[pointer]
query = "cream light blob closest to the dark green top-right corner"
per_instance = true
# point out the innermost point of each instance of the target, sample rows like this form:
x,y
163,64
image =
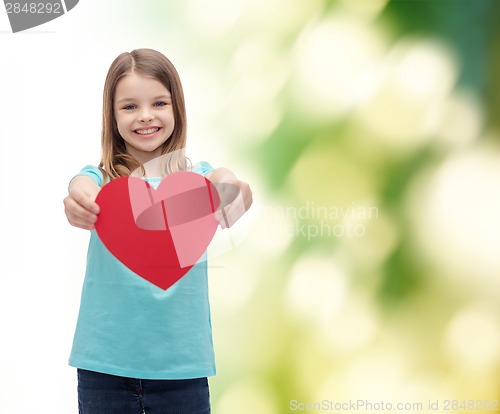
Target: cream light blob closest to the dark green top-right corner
x,y
406,101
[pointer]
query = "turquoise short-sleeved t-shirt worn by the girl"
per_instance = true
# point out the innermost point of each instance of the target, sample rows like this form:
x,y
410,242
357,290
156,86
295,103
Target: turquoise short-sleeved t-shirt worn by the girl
x,y
129,327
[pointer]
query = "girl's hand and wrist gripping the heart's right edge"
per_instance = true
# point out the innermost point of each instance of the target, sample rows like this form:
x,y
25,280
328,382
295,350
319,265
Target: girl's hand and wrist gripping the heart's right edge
x,y
235,196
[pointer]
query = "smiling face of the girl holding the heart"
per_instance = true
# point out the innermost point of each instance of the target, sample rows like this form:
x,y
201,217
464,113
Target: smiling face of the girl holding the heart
x,y
144,115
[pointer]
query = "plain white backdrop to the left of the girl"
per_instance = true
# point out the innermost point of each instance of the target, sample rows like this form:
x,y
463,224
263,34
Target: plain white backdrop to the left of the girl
x,y
51,80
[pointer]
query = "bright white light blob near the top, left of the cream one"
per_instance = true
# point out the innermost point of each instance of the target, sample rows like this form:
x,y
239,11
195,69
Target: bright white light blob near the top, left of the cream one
x,y
332,56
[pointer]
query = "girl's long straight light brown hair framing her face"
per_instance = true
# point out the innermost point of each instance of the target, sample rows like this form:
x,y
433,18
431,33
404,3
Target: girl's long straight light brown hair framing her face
x,y
115,161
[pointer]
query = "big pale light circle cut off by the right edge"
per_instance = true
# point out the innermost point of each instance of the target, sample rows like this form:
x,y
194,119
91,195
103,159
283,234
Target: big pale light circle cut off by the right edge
x,y
456,219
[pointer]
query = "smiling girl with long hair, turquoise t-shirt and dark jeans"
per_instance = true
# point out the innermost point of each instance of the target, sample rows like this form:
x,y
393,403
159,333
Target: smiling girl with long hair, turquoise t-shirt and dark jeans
x,y
137,348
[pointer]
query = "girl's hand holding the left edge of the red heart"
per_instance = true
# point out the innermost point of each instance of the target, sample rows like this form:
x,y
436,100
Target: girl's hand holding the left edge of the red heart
x,y
80,206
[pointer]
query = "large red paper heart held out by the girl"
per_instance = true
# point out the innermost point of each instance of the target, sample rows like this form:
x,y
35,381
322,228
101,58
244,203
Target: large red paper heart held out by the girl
x,y
158,234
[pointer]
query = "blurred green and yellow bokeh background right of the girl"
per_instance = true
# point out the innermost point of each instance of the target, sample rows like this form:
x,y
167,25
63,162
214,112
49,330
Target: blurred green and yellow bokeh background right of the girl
x,y
368,267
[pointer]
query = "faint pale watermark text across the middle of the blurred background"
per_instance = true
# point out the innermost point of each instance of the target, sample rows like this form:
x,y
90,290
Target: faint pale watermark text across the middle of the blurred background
x,y
310,220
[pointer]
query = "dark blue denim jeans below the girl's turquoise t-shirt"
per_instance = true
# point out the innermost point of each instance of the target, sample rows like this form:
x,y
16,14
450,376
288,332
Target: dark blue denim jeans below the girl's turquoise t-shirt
x,y
108,394
